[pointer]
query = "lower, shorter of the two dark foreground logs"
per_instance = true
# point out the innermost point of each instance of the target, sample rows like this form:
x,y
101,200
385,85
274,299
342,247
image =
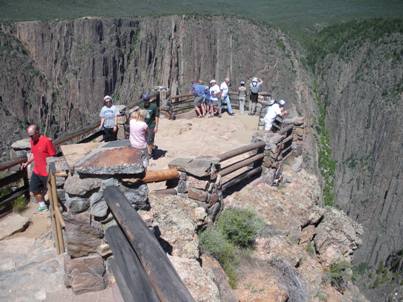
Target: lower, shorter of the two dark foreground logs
x,y
134,284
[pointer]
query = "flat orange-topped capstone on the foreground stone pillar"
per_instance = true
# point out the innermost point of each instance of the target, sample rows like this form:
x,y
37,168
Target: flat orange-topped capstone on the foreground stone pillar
x,y
120,160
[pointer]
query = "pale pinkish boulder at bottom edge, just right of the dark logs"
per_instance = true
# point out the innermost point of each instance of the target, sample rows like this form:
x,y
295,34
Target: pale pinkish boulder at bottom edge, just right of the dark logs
x,y
199,283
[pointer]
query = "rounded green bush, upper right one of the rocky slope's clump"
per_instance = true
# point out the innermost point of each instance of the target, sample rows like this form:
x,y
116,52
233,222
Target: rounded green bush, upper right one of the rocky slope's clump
x,y
240,226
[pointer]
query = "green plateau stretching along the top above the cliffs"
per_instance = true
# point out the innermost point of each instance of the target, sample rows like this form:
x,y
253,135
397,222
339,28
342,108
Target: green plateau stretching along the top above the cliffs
x,y
299,18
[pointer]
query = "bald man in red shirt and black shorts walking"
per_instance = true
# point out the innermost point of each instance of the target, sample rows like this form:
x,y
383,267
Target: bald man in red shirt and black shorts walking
x,y
41,148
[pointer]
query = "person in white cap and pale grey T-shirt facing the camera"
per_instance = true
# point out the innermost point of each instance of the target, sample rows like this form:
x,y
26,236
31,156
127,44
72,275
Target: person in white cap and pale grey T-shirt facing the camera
x,y
109,120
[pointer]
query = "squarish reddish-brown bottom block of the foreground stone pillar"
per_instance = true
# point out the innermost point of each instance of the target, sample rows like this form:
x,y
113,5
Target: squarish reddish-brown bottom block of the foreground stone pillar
x,y
84,274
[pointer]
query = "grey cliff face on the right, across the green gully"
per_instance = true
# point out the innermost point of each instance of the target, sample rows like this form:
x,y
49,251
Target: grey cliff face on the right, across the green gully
x,y
361,83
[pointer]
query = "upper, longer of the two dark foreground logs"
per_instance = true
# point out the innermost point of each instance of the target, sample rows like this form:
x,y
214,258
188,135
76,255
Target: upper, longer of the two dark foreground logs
x,y
162,275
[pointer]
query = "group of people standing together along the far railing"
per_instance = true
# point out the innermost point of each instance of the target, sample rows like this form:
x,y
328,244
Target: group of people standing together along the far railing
x,y
209,99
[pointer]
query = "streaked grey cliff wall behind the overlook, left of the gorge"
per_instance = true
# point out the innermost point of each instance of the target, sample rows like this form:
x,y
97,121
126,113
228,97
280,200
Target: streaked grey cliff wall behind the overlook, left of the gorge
x,y
70,65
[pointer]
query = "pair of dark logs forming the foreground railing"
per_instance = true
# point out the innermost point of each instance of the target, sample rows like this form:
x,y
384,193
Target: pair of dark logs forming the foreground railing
x,y
142,268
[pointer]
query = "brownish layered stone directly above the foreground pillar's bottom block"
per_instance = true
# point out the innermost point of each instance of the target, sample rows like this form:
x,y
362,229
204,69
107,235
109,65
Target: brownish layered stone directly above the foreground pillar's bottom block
x,y
82,236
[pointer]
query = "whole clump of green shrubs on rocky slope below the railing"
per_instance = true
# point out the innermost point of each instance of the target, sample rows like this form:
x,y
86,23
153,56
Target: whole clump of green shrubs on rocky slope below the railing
x,y
232,235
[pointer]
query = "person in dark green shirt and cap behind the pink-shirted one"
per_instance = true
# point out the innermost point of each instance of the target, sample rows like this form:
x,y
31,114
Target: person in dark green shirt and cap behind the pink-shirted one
x,y
152,119
